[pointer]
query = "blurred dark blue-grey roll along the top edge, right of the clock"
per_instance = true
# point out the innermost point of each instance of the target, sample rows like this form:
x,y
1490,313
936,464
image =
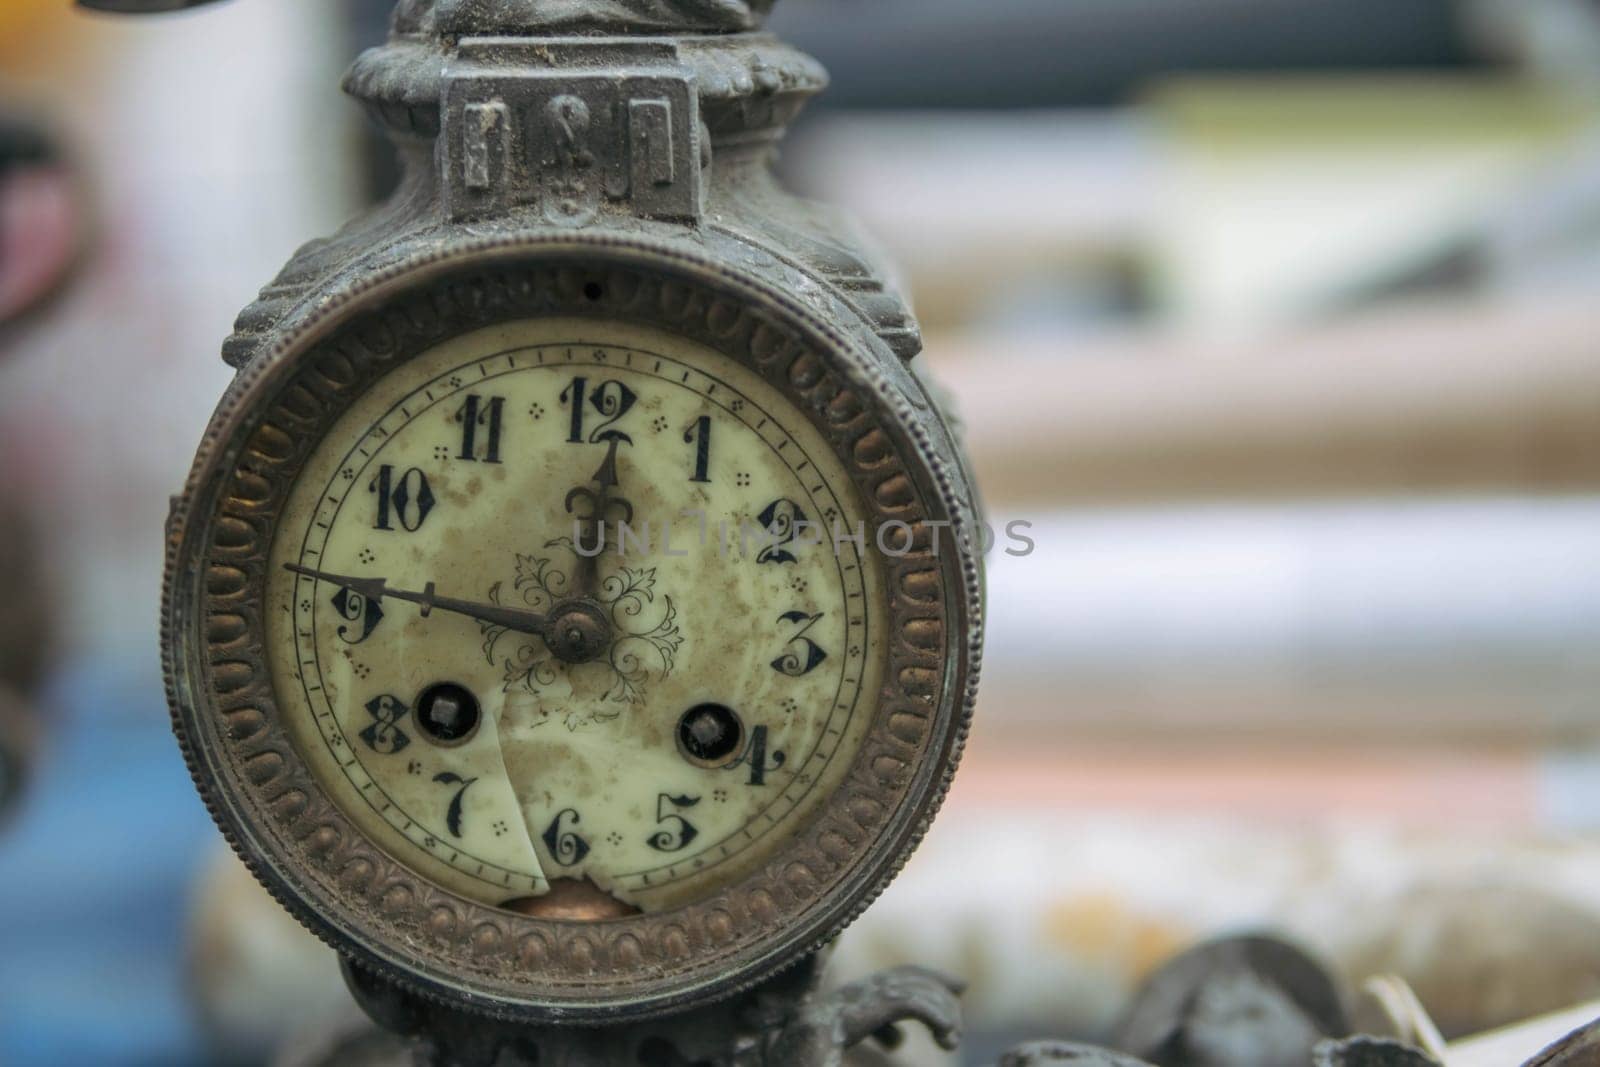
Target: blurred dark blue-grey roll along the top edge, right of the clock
x,y
1033,54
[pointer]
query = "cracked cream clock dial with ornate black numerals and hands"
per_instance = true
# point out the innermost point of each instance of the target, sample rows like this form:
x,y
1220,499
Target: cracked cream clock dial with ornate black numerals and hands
x,y
574,618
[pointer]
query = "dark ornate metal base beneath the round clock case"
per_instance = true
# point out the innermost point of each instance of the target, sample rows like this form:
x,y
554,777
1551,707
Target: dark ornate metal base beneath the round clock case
x,y
790,1021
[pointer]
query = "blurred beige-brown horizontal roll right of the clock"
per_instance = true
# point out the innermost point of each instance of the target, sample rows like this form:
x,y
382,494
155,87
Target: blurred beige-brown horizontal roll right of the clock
x,y
1446,399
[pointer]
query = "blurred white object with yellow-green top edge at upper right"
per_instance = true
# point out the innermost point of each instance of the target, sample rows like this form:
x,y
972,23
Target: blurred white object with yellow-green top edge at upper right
x,y
1290,198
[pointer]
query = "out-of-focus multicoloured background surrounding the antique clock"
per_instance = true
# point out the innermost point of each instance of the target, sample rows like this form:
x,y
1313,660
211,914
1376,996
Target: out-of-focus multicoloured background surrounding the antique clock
x,y
1279,321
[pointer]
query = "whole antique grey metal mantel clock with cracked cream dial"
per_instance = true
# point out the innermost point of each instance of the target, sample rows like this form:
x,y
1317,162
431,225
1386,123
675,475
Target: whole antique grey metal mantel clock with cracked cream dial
x,y
574,610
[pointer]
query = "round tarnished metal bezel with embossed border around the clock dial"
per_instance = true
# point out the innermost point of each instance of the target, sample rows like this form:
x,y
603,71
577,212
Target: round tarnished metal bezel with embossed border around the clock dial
x,y
388,919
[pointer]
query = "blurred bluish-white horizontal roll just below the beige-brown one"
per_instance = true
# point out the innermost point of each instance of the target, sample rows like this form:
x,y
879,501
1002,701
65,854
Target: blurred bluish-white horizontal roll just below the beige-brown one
x,y
1452,621
